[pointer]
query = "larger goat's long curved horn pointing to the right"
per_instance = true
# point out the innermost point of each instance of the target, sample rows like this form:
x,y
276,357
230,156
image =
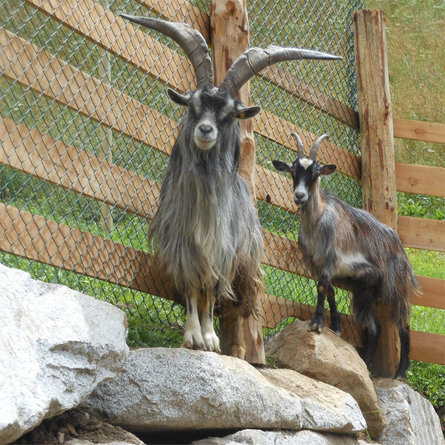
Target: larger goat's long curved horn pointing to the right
x,y
253,60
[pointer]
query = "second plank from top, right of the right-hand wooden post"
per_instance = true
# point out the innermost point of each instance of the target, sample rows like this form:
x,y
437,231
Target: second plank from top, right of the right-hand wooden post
x,y
412,178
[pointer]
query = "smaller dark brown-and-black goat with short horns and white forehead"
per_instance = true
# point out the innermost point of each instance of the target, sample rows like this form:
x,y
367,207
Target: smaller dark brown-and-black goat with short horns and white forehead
x,y
348,247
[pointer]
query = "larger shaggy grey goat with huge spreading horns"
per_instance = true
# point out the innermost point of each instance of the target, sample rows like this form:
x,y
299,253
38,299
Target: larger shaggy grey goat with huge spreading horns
x,y
206,233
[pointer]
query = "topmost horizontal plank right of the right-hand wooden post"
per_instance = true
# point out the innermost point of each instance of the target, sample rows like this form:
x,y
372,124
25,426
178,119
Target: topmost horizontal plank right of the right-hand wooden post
x,y
419,131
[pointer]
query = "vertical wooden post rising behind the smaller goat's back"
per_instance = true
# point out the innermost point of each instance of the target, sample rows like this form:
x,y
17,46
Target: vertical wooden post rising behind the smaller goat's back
x,y
377,144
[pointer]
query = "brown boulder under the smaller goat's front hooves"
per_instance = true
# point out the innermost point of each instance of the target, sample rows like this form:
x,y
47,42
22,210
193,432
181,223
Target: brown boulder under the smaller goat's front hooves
x,y
328,358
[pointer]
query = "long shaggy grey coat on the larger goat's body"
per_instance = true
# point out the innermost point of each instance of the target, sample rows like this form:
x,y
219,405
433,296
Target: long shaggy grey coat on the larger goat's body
x,y
206,231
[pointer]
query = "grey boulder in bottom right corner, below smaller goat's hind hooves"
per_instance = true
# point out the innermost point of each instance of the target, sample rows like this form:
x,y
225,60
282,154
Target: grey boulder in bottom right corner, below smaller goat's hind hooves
x,y
410,418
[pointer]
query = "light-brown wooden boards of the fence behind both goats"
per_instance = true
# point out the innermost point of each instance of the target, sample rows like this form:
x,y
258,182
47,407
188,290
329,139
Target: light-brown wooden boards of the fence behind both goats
x,y
29,151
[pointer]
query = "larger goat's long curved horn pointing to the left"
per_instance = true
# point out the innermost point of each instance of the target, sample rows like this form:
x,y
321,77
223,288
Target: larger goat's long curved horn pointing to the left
x,y
190,40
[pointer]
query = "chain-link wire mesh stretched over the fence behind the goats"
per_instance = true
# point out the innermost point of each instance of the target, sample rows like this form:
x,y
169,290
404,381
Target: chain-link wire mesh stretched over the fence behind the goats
x,y
86,130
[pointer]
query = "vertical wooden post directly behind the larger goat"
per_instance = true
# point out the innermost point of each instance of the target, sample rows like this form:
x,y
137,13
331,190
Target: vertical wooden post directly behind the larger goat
x,y
230,38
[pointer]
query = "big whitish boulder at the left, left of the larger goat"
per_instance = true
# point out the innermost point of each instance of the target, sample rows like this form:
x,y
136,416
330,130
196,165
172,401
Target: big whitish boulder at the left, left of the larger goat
x,y
56,346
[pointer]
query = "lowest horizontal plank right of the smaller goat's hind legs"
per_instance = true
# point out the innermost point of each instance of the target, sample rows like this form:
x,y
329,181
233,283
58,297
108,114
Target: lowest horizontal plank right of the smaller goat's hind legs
x,y
427,347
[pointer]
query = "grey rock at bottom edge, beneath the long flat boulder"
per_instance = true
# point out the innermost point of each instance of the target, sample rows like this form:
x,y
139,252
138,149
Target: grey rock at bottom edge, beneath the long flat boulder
x,y
258,437
